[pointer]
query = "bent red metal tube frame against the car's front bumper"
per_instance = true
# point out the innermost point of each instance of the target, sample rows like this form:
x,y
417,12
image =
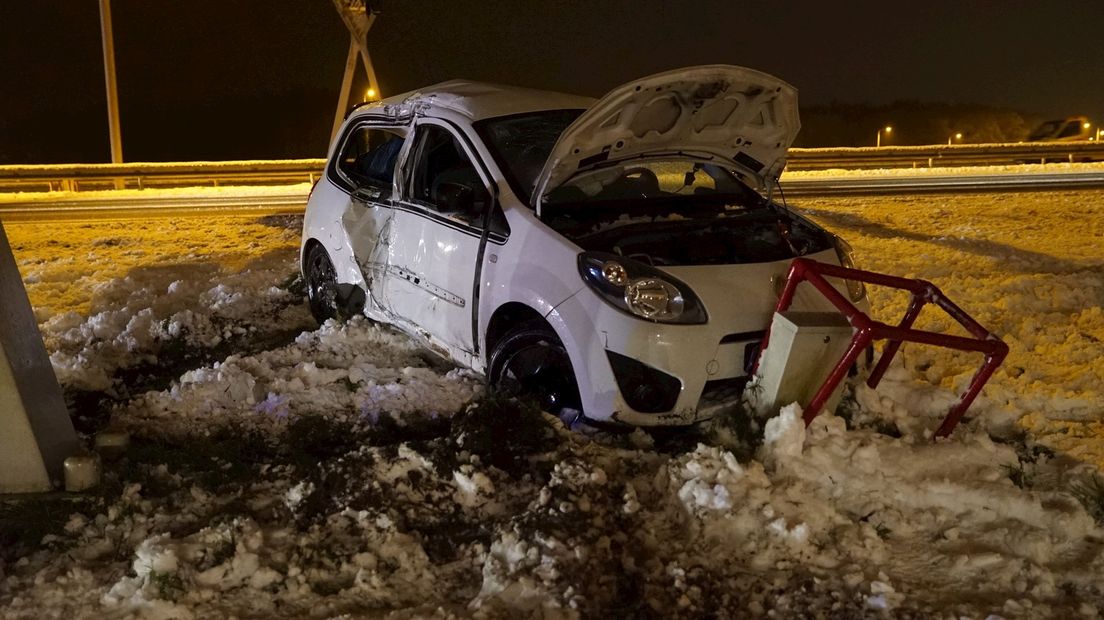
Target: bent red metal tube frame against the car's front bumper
x,y
868,330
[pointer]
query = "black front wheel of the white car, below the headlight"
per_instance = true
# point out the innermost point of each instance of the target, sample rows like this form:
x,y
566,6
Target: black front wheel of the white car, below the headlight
x,y
530,362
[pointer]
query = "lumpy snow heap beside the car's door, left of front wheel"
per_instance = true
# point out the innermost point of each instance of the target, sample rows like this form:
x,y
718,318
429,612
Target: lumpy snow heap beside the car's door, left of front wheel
x,y
357,371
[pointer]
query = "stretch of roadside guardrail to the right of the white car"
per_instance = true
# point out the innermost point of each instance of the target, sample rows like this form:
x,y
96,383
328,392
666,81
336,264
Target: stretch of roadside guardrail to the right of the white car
x,y
943,156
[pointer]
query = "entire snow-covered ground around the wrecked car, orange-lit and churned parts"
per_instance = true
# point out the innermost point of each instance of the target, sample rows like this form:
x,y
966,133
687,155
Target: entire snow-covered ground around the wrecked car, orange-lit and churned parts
x,y
279,471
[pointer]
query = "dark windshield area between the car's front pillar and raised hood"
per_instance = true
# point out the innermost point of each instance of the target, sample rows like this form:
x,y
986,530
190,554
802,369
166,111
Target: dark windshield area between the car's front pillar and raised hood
x,y
521,144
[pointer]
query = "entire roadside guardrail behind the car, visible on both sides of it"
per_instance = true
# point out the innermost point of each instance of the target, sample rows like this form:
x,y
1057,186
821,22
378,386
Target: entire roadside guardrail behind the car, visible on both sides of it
x,y
84,177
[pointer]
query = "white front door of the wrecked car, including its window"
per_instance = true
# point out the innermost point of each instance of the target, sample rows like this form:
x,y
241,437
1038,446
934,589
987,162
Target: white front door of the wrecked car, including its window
x,y
438,236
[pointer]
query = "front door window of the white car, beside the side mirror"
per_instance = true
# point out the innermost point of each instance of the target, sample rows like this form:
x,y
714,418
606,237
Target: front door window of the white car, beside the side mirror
x,y
444,178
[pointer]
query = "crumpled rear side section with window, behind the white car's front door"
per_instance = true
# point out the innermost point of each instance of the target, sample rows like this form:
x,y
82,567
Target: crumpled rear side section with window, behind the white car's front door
x,y
365,169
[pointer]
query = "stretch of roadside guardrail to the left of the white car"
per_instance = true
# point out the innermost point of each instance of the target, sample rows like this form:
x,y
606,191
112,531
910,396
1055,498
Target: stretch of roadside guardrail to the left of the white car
x,y
90,177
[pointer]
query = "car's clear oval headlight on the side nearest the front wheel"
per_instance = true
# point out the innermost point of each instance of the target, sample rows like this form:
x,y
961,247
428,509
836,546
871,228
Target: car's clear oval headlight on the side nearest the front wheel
x,y
640,290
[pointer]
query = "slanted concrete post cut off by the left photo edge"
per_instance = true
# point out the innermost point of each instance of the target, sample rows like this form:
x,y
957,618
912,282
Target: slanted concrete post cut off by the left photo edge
x,y
36,433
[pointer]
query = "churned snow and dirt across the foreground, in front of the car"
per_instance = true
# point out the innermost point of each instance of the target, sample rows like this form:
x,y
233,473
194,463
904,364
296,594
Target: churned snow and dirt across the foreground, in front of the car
x,y
847,522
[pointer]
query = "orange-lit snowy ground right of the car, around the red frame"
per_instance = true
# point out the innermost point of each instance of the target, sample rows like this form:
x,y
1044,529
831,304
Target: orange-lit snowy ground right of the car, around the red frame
x,y
1028,266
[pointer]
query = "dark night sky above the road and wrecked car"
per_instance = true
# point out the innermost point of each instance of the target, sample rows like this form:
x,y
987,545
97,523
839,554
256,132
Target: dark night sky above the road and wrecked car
x,y
229,79
